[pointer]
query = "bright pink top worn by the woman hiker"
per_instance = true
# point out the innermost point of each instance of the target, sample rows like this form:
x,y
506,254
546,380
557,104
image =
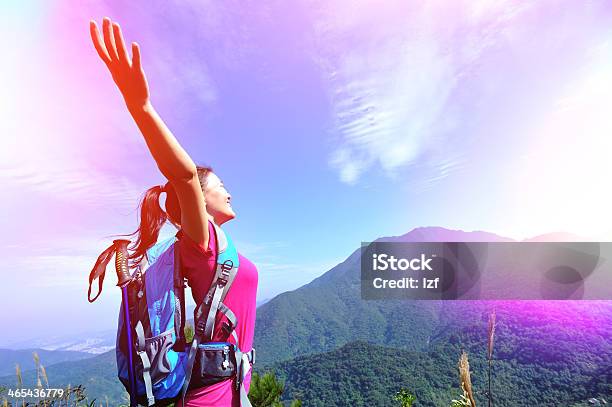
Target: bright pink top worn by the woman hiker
x,y
199,269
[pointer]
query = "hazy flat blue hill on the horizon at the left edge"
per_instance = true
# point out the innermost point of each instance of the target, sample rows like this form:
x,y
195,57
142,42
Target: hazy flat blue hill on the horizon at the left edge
x,y
24,358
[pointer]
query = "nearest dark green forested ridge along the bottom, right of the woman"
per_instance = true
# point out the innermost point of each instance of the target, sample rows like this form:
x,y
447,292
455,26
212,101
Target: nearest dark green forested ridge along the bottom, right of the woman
x,y
363,374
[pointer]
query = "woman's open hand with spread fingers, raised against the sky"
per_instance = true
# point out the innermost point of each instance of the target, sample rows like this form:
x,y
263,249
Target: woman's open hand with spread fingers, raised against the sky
x,y
127,72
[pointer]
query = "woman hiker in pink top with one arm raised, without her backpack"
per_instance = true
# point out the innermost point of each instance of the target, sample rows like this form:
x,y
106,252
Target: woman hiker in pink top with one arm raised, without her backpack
x,y
196,198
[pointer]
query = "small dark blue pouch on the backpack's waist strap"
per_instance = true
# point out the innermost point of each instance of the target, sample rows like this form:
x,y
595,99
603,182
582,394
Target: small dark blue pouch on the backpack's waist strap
x,y
215,362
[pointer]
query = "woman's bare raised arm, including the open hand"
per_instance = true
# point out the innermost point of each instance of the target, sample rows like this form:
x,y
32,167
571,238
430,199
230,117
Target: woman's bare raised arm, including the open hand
x,y
172,160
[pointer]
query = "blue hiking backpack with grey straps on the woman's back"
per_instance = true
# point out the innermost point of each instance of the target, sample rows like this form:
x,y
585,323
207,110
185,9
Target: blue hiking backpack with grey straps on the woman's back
x,y
154,362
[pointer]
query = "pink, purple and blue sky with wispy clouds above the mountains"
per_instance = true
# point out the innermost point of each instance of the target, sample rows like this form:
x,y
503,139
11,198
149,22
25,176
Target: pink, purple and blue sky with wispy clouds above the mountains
x,y
329,122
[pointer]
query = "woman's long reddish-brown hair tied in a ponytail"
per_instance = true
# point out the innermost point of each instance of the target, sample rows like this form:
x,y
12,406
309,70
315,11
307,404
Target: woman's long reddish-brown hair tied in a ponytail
x,y
153,217
